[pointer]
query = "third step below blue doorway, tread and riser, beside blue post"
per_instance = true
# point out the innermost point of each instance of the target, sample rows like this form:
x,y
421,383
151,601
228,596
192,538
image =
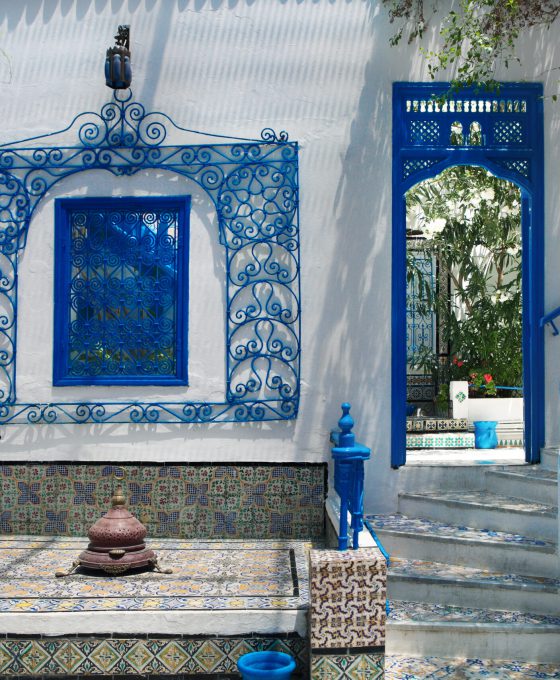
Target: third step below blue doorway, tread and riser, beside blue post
x,y
426,539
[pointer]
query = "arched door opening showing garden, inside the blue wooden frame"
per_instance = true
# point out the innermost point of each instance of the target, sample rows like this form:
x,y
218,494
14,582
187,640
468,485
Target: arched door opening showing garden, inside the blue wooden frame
x,y
464,319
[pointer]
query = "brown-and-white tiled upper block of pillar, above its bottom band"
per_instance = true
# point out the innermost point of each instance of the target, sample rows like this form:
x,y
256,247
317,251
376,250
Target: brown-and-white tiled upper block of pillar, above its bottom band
x,y
348,594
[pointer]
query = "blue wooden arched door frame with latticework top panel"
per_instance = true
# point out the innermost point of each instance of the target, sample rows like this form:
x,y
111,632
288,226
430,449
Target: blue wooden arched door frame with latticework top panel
x,y
509,143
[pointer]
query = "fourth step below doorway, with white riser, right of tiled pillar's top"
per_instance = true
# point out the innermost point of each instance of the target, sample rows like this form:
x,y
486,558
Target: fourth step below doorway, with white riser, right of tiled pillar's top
x,y
468,586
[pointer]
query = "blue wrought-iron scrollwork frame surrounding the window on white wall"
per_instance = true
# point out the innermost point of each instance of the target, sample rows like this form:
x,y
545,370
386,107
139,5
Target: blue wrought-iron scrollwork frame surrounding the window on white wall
x,y
253,184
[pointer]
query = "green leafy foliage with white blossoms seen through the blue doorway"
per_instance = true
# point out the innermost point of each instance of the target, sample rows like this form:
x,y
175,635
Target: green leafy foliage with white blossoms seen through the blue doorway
x,y
471,222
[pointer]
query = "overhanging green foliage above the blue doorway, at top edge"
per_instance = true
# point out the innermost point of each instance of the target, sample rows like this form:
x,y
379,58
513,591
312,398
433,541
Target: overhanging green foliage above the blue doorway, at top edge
x,y
476,37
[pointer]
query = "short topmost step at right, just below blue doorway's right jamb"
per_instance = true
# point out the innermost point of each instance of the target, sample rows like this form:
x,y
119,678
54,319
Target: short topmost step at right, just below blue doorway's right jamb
x,y
531,482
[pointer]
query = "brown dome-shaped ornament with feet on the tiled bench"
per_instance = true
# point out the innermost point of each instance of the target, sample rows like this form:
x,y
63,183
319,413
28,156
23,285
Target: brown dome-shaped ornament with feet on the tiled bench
x,y
116,543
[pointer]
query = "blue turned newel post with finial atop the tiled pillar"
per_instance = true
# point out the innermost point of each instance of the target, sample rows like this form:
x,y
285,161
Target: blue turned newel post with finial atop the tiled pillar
x,y
349,459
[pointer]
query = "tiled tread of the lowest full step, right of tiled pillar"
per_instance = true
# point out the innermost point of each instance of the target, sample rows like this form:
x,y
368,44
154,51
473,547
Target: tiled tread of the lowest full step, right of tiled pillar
x,y
427,611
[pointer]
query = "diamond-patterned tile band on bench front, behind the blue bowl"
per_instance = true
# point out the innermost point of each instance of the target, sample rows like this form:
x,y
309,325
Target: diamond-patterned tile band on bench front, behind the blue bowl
x,y
66,657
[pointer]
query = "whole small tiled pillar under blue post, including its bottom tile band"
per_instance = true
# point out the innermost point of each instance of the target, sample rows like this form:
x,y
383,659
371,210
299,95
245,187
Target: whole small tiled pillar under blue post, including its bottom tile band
x,y
347,614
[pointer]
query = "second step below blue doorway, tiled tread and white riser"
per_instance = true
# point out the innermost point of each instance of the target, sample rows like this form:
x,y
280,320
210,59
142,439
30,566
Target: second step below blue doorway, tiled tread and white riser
x,y
484,510
